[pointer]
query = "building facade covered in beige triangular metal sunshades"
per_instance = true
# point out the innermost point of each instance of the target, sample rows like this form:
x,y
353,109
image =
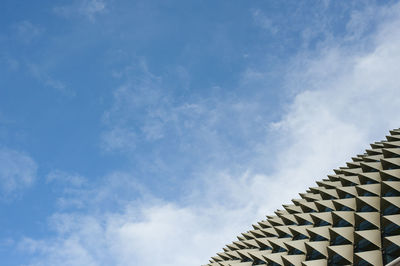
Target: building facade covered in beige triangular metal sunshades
x,y
350,218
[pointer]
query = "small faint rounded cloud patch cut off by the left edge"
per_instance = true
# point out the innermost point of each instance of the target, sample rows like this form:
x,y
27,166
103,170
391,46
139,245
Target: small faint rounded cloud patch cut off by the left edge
x,y
17,173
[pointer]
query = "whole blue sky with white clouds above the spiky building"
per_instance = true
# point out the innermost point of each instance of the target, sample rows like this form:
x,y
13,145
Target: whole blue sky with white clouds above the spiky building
x,y
154,132
